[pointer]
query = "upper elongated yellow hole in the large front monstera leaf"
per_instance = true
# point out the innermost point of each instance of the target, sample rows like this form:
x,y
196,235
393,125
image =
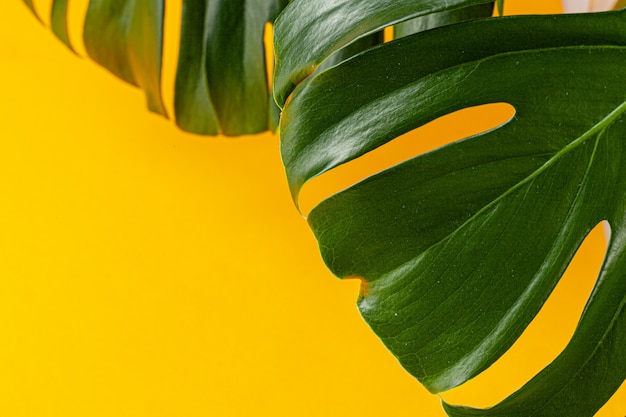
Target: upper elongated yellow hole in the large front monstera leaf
x,y
440,132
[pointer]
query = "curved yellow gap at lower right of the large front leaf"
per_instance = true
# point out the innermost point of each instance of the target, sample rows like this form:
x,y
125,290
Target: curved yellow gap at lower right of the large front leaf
x,y
546,336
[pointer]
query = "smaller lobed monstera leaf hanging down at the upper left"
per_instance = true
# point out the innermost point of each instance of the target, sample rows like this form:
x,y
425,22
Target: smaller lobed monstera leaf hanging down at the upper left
x,y
221,83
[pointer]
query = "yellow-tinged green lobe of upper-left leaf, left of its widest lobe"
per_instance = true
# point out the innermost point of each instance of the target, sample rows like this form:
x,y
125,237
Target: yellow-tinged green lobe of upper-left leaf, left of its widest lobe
x,y
126,37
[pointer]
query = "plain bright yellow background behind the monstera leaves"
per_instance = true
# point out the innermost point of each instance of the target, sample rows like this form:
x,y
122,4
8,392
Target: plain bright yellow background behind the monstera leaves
x,y
148,272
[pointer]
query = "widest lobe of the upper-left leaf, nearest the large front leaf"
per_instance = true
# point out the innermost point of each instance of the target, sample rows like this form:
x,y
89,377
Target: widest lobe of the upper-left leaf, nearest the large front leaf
x,y
221,77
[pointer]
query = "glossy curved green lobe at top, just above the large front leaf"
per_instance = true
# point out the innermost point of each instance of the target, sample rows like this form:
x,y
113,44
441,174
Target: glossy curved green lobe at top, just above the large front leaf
x,y
308,31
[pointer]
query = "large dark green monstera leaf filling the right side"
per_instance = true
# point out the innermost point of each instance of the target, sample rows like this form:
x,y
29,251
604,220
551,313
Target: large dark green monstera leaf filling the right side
x,y
459,248
